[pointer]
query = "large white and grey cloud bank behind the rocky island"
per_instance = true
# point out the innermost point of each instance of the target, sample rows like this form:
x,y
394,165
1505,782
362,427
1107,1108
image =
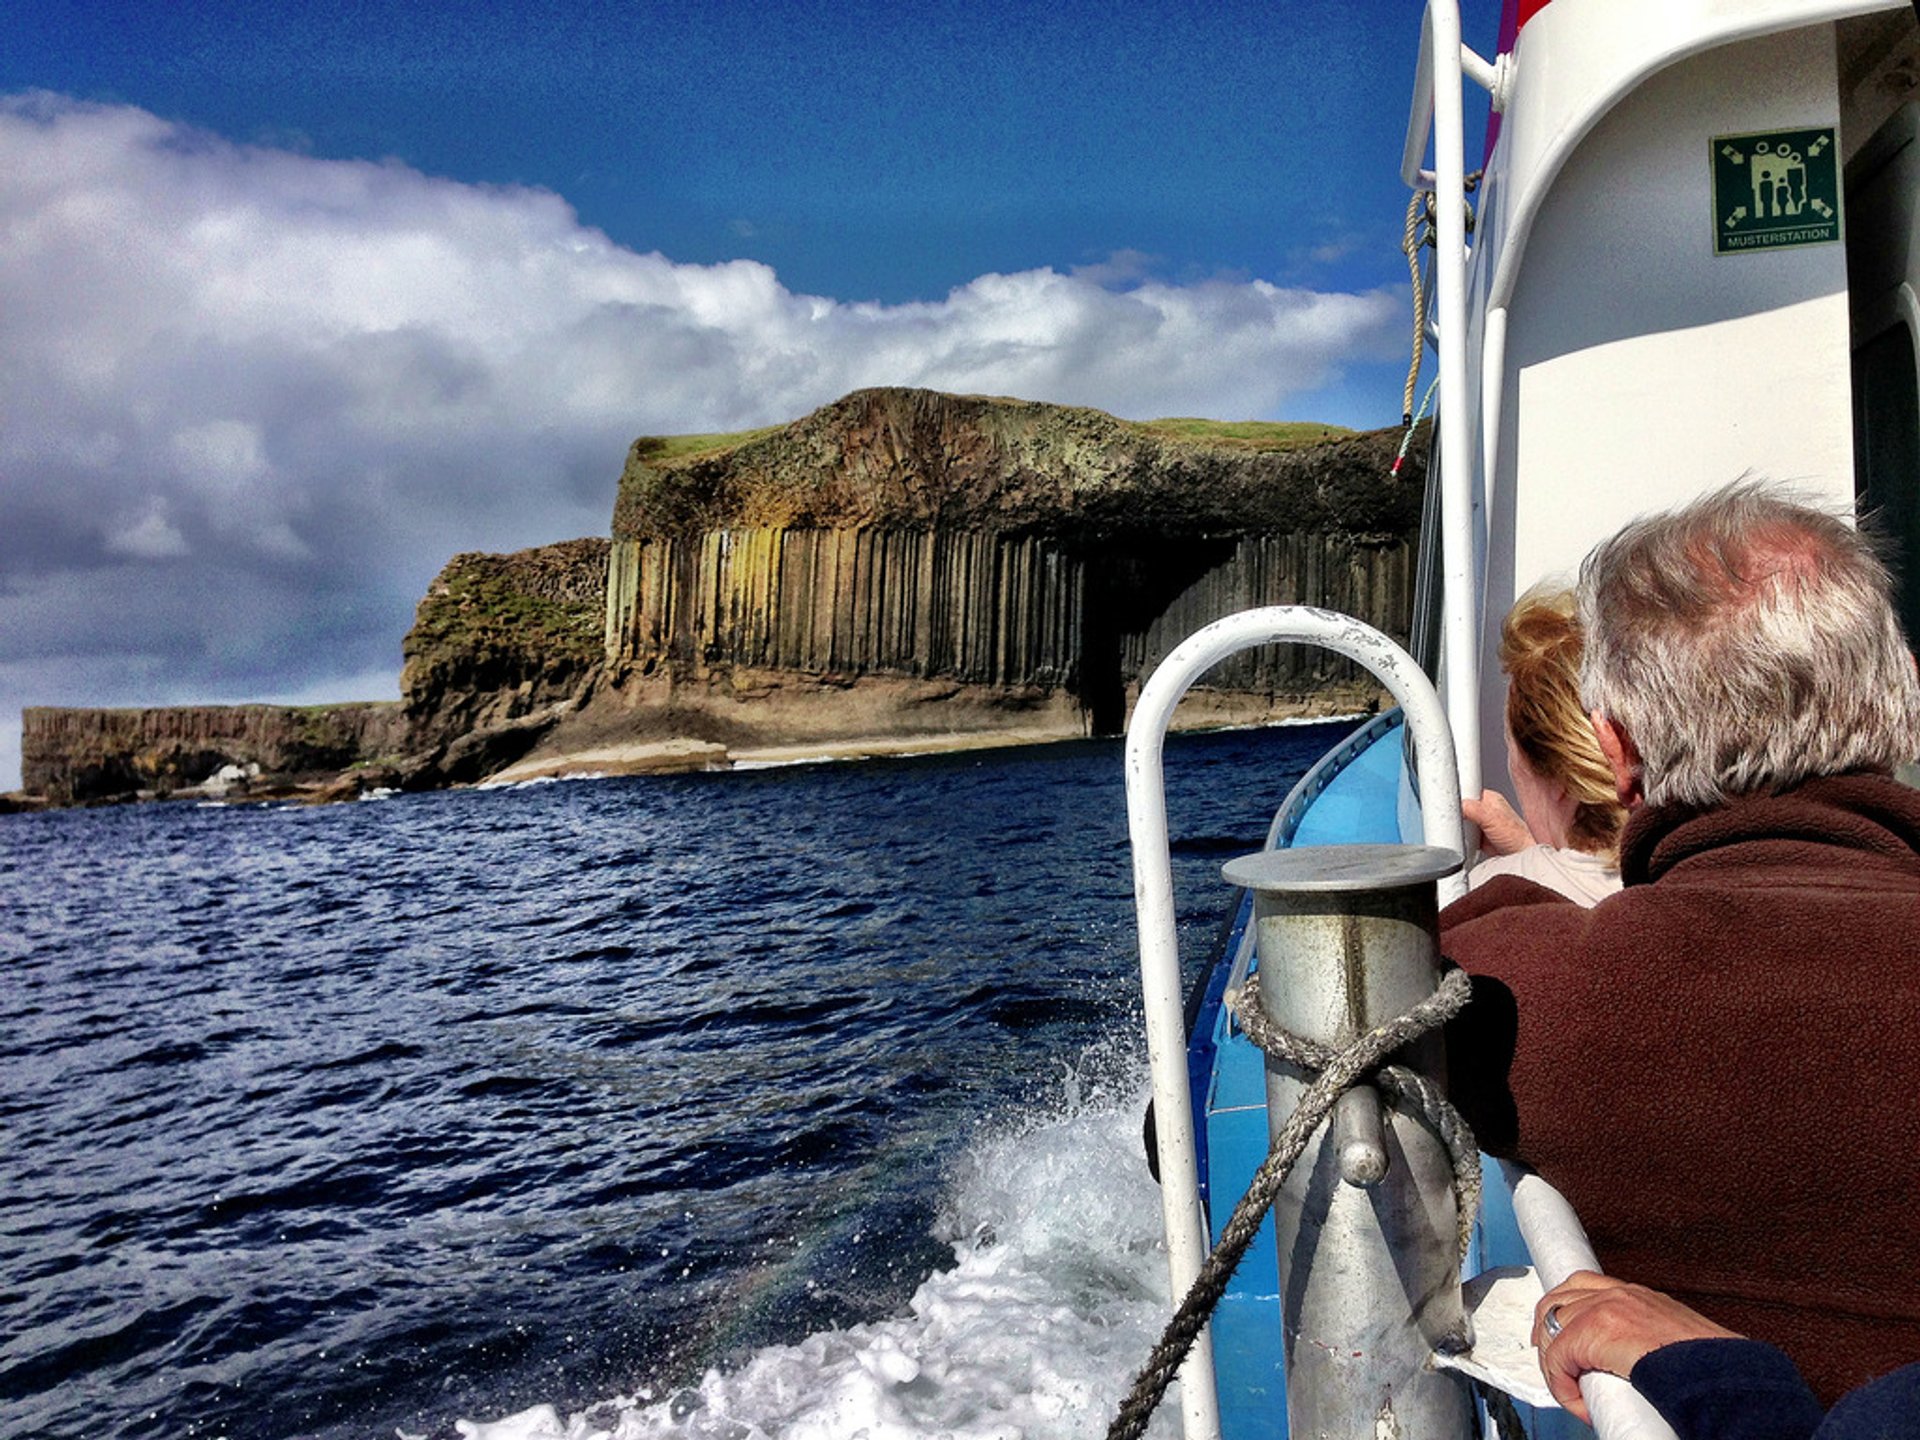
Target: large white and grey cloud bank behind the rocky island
x,y
252,400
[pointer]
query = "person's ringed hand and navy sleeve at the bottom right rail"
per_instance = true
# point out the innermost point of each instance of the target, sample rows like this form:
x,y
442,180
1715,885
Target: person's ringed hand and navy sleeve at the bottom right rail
x,y
1706,1381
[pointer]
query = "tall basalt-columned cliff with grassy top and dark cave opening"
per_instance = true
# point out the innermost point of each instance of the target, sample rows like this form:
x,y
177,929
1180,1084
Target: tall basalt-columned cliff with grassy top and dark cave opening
x,y
953,558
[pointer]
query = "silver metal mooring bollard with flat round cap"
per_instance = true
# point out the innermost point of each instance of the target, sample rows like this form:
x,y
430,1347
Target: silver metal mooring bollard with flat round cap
x,y
1370,1264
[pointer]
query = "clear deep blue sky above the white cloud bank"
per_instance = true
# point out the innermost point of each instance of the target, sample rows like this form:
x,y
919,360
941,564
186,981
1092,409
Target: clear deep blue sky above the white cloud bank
x,y
863,151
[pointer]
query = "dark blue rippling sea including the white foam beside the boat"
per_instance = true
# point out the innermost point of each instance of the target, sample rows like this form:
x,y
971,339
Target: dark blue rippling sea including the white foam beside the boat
x,y
784,1103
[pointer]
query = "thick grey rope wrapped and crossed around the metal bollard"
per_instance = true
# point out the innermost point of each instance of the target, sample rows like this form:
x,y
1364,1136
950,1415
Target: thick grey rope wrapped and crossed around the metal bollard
x,y
1337,1070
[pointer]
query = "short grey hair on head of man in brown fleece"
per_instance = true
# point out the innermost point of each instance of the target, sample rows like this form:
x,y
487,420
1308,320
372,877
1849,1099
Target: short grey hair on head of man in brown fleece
x,y
1746,642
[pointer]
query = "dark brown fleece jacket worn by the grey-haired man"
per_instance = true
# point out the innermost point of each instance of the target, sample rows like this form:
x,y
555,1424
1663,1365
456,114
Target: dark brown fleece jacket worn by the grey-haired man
x,y
1721,1065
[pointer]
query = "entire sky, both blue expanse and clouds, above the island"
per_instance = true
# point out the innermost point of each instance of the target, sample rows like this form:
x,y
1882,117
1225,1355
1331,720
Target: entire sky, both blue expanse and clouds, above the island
x,y
297,304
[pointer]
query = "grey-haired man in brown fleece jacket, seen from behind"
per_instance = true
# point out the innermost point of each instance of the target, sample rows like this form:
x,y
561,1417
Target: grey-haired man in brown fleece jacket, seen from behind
x,y
1719,1065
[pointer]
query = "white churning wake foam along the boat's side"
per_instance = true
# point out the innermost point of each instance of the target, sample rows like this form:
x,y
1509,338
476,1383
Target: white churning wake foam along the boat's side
x,y
1055,1301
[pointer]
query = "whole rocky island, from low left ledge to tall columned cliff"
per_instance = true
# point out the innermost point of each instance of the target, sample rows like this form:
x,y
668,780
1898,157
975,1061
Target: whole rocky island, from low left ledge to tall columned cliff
x,y
896,571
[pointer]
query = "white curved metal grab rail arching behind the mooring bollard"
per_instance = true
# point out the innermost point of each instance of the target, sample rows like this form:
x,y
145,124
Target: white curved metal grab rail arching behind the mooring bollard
x,y
1153,898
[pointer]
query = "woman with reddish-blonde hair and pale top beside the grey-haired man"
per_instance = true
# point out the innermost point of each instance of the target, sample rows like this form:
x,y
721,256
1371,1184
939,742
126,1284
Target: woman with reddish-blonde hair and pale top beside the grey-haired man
x,y
1568,830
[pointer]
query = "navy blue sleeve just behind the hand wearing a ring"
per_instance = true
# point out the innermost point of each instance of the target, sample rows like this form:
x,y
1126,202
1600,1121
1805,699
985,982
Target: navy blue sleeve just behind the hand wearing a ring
x,y
1727,1391
